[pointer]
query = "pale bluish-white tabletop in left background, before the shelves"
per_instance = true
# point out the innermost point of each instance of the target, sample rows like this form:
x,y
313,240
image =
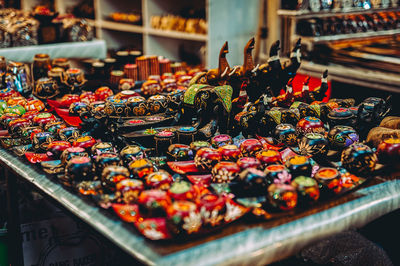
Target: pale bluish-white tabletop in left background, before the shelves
x,y
91,49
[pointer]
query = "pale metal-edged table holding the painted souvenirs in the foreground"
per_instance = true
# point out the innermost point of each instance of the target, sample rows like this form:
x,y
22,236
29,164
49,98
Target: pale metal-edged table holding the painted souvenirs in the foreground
x,y
243,242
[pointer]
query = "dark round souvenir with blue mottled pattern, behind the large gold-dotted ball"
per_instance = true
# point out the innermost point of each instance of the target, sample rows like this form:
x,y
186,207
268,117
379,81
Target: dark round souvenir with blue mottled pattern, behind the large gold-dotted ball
x,y
341,137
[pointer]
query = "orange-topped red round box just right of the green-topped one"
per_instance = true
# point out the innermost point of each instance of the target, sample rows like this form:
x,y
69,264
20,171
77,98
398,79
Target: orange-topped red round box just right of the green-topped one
x,y
329,179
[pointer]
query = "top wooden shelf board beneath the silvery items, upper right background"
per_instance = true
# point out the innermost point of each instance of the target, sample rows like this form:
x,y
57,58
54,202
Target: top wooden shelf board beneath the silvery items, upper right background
x,y
302,14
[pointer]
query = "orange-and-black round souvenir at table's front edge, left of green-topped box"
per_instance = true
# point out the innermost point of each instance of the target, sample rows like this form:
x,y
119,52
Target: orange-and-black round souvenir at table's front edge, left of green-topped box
x,y
282,196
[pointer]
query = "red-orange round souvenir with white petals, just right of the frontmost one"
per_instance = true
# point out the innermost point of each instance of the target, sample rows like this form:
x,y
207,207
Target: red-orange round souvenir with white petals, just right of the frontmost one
x,y
212,209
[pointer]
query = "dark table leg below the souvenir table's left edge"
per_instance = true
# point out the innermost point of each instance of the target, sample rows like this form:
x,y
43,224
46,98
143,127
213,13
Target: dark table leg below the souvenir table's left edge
x,y
13,224
